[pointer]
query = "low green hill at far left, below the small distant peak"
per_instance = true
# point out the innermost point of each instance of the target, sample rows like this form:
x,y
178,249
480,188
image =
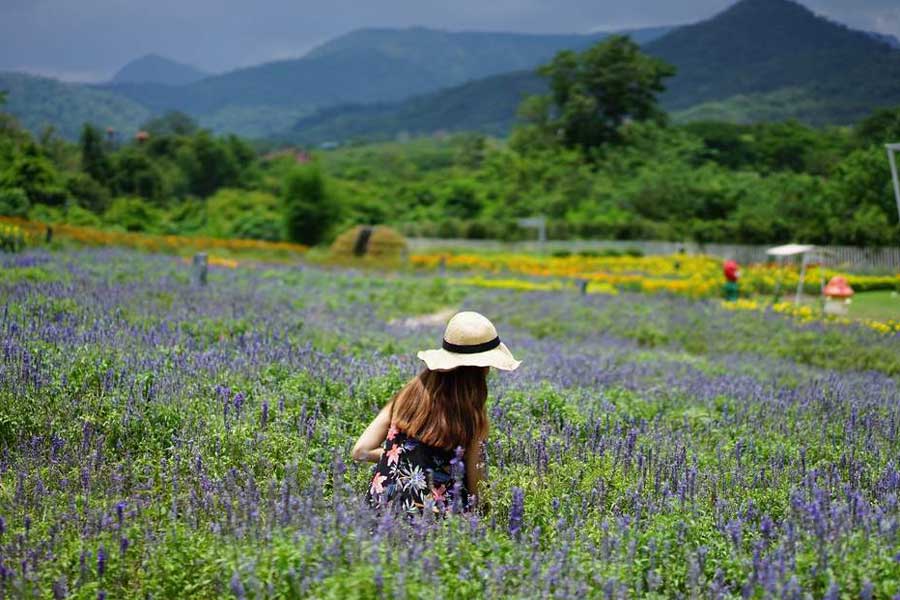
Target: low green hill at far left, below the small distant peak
x,y
39,102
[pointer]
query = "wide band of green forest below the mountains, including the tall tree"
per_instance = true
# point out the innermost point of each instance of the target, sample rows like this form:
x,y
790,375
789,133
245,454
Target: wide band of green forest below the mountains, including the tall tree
x,y
629,173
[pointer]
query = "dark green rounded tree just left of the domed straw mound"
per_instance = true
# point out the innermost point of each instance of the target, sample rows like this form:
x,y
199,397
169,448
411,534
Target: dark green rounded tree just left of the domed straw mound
x,y
309,213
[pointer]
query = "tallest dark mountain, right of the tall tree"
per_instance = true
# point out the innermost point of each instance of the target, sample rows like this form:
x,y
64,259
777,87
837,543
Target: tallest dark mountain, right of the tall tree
x,y
761,46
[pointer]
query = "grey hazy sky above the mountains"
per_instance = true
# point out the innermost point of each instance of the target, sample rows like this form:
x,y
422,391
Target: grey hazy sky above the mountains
x,y
88,40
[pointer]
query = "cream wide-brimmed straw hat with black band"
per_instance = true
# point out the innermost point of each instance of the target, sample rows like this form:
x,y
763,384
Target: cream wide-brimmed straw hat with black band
x,y
470,340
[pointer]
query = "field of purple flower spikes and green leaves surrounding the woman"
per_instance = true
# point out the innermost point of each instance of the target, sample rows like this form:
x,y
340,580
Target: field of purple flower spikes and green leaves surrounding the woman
x,y
163,440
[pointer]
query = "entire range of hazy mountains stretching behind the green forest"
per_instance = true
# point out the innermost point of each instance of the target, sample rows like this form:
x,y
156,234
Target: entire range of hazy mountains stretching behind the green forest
x,y
757,60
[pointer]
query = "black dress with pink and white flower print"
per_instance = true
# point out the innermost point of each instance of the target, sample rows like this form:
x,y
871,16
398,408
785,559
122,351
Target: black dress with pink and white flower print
x,y
418,476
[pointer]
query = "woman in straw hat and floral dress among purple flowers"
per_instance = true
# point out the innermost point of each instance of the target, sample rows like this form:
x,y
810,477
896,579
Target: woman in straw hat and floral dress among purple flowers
x,y
427,440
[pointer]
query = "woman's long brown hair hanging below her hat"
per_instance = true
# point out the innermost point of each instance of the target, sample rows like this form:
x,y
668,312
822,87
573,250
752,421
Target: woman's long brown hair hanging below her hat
x,y
443,408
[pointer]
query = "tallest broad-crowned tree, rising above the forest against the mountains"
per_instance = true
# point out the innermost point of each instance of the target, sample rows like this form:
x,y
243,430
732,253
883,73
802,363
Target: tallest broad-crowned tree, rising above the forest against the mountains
x,y
595,92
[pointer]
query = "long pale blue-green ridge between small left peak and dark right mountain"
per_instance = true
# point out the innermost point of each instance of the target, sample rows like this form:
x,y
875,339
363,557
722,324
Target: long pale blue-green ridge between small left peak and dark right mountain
x,y
364,66
